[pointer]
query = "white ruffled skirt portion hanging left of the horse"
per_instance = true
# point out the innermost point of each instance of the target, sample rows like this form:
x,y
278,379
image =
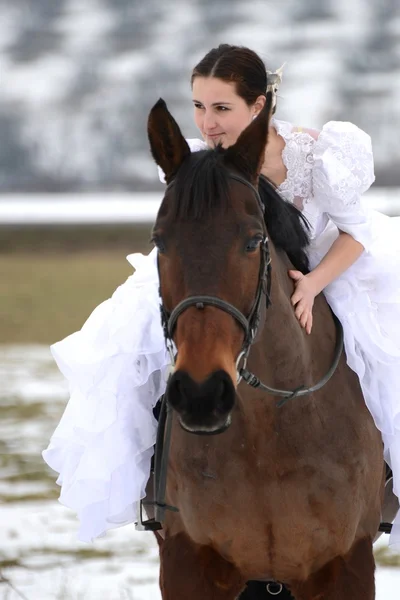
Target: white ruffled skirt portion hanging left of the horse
x,y
115,366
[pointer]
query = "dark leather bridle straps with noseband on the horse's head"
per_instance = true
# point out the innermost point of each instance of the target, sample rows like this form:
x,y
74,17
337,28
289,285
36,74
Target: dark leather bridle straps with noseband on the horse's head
x,y
250,324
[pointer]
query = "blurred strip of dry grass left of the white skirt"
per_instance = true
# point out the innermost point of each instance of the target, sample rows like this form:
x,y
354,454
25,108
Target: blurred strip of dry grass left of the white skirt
x,y
45,297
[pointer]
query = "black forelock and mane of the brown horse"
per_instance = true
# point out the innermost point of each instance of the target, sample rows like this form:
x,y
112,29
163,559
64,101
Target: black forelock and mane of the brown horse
x,y
202,187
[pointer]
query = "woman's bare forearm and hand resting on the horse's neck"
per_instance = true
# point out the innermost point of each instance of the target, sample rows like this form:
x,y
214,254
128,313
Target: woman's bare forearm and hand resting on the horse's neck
x,y
343,253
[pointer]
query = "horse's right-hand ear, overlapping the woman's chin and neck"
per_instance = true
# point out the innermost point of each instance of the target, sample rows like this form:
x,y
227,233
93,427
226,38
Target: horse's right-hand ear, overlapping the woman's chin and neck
x,y
247,154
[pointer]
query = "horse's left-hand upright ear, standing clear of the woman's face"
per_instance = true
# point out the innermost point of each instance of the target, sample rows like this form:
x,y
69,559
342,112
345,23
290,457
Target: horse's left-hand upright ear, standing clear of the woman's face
x,y
168,146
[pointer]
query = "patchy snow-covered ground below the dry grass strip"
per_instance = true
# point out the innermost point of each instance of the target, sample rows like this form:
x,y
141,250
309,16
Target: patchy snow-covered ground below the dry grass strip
x,y
39,551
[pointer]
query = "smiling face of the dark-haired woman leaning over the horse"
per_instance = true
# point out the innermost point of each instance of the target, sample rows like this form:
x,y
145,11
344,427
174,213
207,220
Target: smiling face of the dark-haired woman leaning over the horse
x,y
219,113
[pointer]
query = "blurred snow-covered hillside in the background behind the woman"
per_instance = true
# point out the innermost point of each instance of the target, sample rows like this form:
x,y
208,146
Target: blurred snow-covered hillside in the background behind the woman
x,y
70,101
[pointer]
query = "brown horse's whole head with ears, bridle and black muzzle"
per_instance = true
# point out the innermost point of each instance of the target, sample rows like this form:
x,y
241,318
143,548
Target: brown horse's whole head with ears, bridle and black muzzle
x,y
212,259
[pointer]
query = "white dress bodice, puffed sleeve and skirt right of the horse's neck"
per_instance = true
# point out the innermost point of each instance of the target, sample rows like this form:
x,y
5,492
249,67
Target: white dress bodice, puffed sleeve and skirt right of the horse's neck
x,y
327,177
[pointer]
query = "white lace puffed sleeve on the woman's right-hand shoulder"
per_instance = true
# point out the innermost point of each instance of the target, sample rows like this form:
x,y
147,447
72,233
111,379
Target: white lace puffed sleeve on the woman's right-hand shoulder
x,y
343,170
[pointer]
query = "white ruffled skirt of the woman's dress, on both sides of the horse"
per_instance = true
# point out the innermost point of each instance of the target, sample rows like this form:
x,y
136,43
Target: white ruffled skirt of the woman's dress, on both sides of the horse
x,y
117,365
